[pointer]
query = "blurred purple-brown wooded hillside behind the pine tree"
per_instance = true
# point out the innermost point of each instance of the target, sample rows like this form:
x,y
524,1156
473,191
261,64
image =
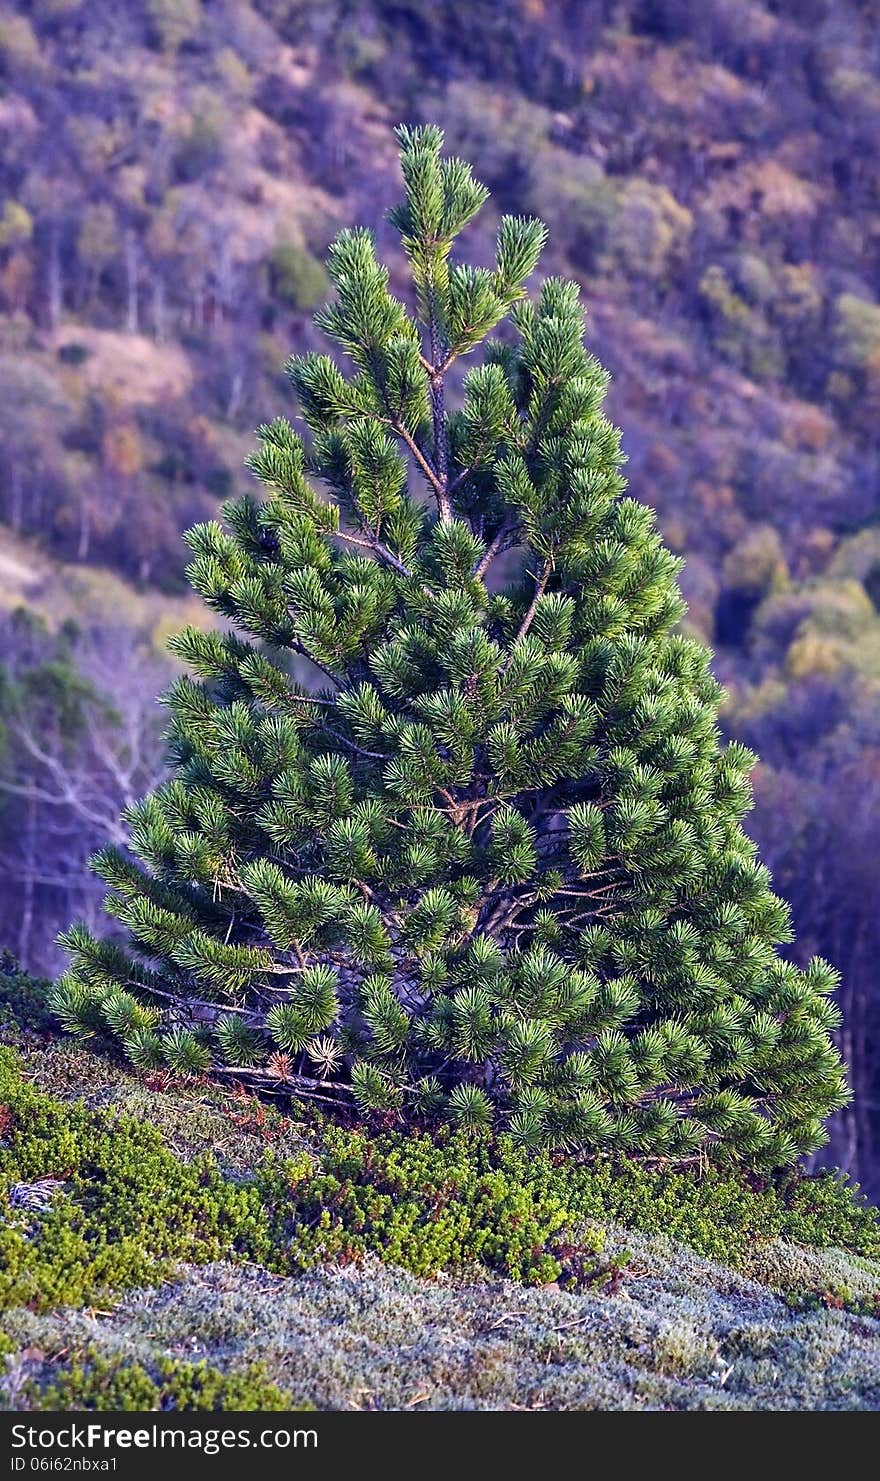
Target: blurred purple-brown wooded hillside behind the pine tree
x,y
171,174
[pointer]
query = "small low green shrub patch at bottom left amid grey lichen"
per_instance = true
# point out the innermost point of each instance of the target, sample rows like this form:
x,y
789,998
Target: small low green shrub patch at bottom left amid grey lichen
x,y
91,1381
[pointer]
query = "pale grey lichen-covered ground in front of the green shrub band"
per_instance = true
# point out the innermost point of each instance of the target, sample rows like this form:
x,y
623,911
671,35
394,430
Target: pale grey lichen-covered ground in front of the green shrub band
x,y
679,1334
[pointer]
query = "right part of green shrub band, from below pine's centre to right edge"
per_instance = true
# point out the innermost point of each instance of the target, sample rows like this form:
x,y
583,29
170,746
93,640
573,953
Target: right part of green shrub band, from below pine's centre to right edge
x,y
438,1202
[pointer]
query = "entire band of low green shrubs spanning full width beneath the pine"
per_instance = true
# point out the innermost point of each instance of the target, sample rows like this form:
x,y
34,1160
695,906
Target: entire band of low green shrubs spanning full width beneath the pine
x,y
122,1208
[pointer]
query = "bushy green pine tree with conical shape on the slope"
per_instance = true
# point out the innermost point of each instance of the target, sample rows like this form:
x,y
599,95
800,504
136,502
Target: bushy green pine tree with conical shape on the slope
x,y
451,832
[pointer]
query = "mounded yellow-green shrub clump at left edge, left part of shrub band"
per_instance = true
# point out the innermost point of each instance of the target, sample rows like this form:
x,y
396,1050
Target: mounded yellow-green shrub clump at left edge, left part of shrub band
x,y
119,1208
